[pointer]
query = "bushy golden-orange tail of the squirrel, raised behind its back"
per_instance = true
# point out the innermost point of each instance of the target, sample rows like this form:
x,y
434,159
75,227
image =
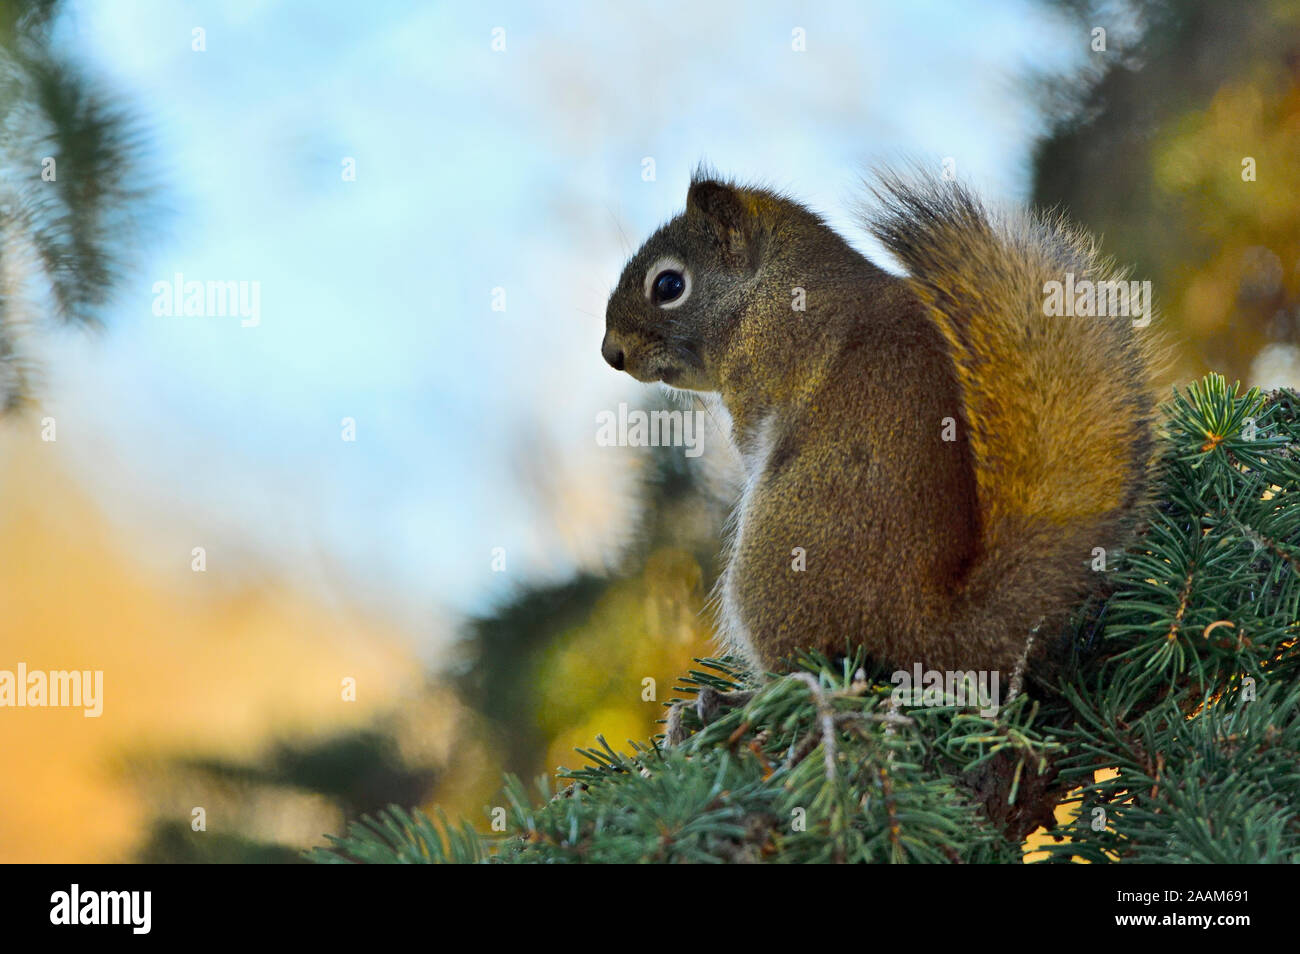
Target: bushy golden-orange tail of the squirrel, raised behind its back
x,y
1059,410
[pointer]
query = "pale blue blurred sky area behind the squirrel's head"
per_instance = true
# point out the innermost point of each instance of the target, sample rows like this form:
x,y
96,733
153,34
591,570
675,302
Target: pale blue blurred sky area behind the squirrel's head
x,y
475,170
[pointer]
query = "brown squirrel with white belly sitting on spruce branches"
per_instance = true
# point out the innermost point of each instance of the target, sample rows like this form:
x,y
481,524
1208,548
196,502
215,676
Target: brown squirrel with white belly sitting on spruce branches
x,y
944,453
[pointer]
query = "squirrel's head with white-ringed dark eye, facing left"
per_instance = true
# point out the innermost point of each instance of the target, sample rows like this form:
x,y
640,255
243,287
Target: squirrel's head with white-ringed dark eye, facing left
x,y
682,296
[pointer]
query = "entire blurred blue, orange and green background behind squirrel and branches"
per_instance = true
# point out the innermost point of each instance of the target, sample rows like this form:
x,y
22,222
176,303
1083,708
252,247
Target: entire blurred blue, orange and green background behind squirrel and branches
x,y
389,480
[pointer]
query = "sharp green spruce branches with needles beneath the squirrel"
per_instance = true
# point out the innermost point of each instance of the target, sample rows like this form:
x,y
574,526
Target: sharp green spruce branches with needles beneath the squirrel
x,y
1173,735
